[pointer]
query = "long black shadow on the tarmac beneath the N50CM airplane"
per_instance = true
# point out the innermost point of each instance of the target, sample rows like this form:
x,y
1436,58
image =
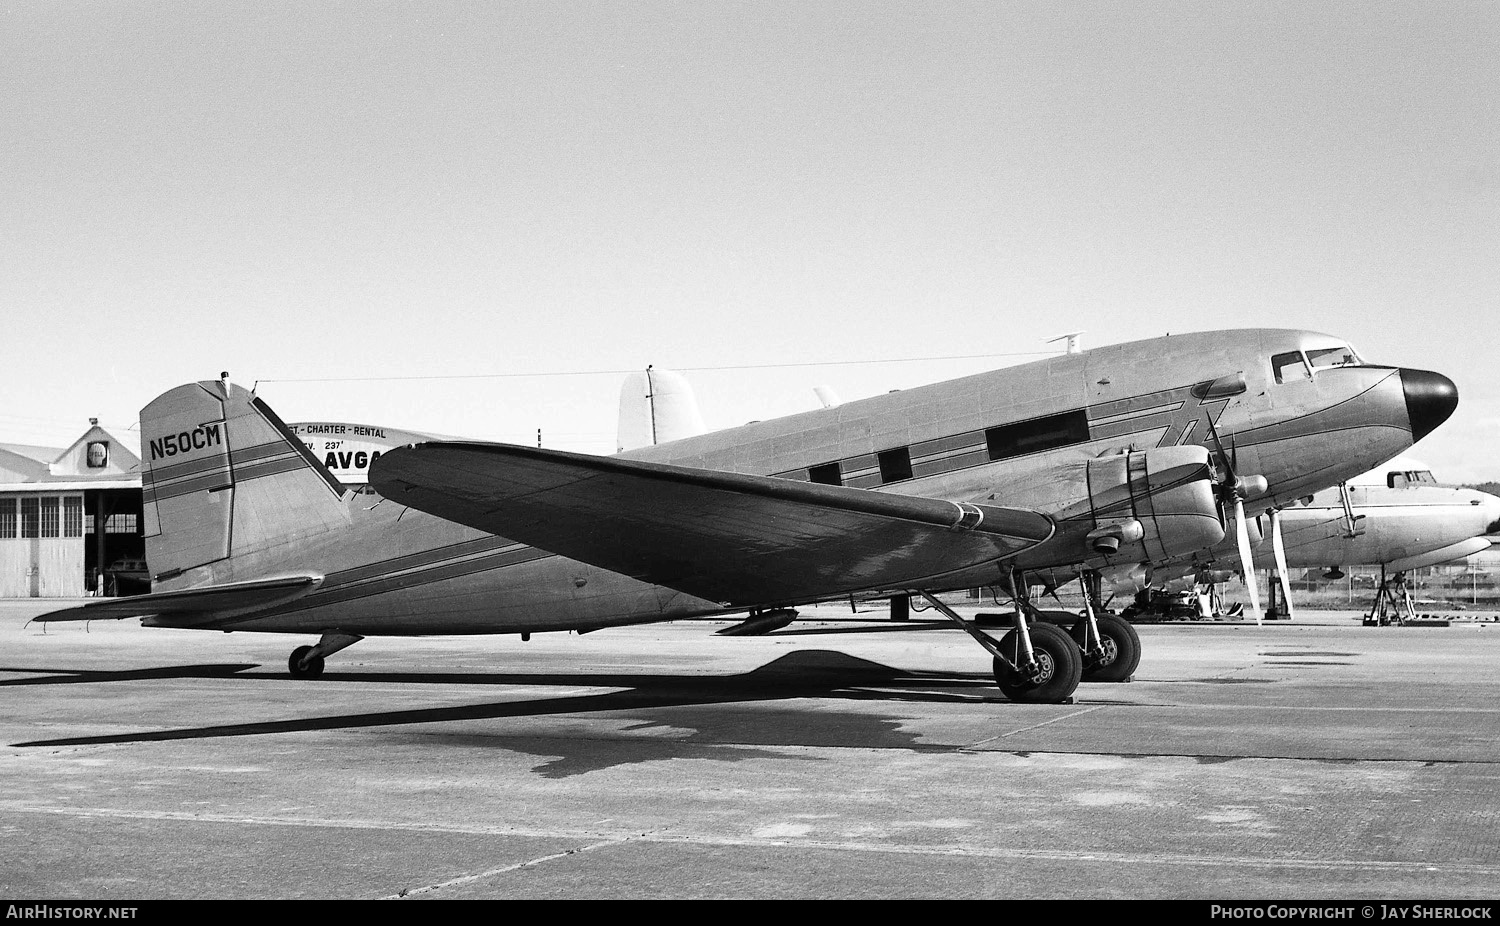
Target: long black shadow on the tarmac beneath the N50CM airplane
x,y
805,675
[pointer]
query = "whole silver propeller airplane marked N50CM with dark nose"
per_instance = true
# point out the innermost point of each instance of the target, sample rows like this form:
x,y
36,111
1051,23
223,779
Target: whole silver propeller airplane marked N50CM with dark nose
x,y
1093,460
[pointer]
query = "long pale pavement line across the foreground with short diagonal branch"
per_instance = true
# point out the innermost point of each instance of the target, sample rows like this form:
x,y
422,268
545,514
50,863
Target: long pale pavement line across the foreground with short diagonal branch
x,y
1060,855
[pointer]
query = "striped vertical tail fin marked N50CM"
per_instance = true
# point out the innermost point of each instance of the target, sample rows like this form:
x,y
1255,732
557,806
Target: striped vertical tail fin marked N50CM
x,y
223,477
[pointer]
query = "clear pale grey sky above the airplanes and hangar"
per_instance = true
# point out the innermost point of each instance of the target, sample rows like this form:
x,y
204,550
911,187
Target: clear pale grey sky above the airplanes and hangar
x,y
476,218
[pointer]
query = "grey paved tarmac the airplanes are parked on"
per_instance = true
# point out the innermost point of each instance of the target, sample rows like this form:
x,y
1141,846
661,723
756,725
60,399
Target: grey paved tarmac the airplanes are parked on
x,y
845,757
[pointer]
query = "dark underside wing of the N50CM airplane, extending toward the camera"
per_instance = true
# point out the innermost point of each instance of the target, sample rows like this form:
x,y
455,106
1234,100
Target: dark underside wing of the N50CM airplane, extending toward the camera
x,y
736,540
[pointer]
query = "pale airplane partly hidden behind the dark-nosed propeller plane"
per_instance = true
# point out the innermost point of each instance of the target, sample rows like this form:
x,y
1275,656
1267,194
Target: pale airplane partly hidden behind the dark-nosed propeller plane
x,y
1397,517
